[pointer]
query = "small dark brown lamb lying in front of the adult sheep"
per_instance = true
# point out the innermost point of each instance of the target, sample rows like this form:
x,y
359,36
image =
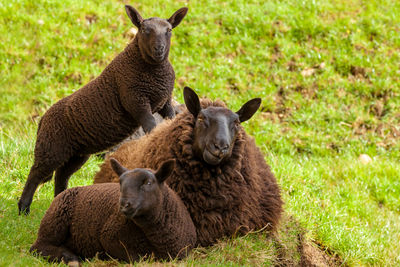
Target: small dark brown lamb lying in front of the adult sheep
x,y
139,217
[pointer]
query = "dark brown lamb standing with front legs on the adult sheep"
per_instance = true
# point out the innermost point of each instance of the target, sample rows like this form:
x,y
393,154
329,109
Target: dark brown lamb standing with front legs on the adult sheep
x,y
137,83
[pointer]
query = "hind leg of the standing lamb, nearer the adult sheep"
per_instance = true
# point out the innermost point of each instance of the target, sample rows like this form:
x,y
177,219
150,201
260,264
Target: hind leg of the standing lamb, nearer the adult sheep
x,y
64,172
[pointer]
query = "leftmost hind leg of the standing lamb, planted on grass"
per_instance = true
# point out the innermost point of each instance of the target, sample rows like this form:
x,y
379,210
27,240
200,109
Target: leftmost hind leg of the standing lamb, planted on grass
x,y
36,174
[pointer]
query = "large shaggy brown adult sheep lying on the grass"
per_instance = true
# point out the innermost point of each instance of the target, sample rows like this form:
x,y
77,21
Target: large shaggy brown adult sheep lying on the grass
x,y
221,175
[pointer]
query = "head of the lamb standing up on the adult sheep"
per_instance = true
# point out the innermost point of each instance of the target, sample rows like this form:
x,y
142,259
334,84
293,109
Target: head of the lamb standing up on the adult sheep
x,y
154,34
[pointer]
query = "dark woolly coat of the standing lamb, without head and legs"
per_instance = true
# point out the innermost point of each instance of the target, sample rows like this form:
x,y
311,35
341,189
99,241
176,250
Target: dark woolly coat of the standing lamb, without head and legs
x,y
106,110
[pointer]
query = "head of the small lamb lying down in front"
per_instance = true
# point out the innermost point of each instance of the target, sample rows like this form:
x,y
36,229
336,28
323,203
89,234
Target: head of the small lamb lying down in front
x,y
141,189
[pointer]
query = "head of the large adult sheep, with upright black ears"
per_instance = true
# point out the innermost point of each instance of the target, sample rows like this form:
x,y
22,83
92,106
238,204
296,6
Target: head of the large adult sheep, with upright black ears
x,y
216,128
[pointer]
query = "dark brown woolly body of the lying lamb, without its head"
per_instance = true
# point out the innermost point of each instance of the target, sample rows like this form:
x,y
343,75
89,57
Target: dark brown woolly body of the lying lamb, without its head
x,y
87,221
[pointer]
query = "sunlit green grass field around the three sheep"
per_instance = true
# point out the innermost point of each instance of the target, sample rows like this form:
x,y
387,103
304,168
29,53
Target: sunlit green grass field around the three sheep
x,y
328,73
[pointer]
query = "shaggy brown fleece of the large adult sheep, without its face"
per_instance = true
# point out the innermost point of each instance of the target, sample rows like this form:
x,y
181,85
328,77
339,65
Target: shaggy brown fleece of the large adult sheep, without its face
x,y
235,197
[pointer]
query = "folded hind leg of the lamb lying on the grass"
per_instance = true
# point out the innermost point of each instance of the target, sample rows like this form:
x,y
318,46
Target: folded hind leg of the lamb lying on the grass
x,y
54,253
